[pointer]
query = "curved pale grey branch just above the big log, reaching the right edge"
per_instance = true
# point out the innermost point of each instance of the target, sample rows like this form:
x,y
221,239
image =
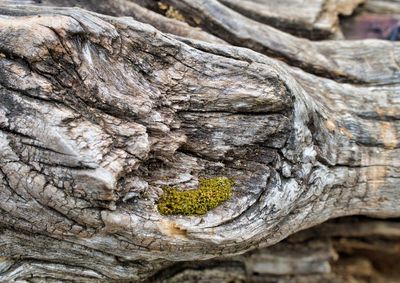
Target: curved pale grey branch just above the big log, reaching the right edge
x,y
363,62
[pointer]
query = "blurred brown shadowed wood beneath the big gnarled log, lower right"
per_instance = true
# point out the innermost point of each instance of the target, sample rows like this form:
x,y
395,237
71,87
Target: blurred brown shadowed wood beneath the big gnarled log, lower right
x,y
345,250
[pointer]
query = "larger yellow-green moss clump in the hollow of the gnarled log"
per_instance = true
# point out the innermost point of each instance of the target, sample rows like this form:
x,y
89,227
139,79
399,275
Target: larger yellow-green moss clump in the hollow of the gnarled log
x,y
210,194
